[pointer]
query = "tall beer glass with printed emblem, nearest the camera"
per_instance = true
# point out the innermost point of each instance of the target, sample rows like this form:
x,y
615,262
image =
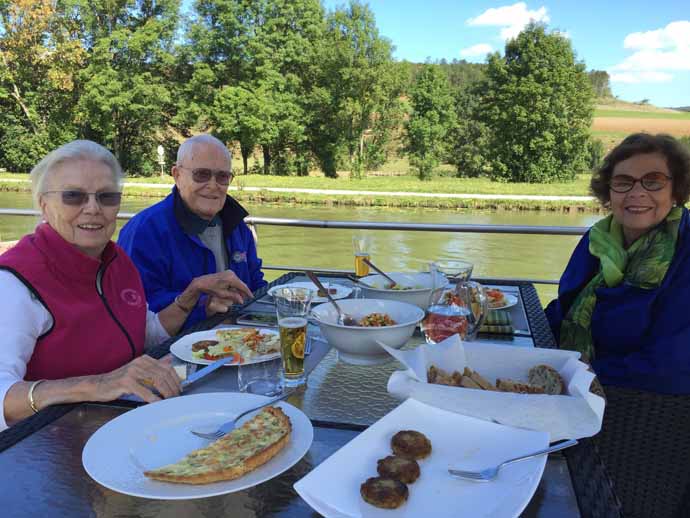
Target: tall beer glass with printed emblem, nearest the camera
x,y
292,308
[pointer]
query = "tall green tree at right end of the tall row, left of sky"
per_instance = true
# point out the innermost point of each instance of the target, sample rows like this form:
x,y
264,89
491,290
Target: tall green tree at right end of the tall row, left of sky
x,y
355,85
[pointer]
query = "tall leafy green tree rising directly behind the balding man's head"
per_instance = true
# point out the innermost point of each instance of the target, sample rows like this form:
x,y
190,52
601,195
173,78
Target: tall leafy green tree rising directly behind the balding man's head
x,y
248,66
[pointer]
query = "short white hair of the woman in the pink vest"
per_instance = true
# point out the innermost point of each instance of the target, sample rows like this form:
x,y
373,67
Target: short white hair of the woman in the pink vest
x,y
72,151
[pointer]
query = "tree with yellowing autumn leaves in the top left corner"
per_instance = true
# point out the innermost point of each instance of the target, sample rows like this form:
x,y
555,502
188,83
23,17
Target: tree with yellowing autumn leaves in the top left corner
x,y
39,59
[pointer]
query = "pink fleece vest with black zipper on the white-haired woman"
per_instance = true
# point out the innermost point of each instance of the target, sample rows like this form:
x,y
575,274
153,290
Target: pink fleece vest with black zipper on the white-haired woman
x,y
98,306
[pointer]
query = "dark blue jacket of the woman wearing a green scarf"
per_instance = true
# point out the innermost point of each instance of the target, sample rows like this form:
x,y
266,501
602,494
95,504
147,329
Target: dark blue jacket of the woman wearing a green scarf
x,y
641,337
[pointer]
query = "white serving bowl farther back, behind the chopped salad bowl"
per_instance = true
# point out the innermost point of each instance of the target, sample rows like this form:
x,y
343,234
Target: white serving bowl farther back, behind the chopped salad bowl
x,y
419,294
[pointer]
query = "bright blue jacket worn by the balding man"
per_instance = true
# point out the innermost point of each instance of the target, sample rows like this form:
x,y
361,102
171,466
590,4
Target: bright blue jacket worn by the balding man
x,y
168,257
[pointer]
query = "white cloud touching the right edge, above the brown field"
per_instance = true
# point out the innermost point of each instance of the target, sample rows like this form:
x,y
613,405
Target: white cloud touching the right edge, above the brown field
x,y
655,54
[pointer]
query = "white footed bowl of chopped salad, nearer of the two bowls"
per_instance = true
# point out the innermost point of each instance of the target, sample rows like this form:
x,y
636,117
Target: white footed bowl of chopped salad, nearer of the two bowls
x,y
358,345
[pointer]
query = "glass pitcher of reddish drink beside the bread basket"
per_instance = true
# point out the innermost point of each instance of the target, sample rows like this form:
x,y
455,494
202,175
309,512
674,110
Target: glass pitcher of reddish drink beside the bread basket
x,y
455,309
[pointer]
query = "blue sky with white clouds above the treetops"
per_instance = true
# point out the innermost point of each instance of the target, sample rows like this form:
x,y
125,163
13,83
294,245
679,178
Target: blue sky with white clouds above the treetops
x,y
645,46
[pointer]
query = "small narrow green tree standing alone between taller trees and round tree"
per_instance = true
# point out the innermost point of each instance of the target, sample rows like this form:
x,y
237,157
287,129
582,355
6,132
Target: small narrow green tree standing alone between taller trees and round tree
x,y
430,121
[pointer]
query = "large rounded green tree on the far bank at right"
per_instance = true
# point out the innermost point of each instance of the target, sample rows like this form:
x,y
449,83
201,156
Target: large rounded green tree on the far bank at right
x,y
538,107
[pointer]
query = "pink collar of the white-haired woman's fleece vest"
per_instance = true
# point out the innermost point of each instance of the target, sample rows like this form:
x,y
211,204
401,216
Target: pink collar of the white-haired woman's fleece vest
x,y
67,258
